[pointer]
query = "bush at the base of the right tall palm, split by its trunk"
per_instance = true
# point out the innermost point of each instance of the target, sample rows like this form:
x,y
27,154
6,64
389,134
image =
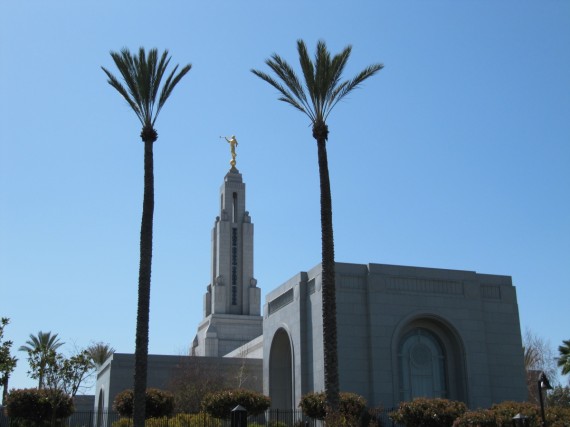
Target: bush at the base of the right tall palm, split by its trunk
x,y
351,406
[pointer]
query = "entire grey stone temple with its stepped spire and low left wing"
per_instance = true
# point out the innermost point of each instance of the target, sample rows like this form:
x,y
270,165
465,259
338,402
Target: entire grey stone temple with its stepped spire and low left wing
x,y
403,332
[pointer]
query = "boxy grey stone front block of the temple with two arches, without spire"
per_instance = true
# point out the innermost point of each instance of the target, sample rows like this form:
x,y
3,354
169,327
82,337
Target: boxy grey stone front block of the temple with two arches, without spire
x,y
402,332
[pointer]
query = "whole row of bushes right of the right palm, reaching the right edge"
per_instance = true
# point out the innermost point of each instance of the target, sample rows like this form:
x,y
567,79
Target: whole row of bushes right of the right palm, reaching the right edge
x,y
448,413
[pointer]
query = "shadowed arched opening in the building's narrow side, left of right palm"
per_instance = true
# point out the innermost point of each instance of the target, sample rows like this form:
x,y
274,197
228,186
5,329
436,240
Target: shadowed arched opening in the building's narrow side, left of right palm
x,y
281,371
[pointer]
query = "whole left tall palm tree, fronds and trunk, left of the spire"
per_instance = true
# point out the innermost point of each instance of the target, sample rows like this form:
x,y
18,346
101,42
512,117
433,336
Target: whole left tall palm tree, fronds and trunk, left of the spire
x,y
142,75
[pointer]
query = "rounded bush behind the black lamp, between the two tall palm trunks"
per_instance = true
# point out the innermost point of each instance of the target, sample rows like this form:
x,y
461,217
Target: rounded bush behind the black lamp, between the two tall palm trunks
x,y
220,404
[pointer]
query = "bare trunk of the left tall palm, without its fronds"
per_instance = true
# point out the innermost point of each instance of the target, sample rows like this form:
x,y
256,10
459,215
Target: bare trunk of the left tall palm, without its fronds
x,y
143,308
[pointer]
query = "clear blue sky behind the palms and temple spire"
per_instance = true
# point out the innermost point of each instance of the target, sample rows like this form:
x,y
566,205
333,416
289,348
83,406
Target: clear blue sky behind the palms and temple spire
x,y
454,156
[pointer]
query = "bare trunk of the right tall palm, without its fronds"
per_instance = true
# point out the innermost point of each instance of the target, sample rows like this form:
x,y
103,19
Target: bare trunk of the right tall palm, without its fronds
x,y
320,133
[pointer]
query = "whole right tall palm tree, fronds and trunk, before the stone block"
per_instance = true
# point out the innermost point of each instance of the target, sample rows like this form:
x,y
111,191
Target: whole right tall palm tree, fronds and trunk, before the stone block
x,y
322,90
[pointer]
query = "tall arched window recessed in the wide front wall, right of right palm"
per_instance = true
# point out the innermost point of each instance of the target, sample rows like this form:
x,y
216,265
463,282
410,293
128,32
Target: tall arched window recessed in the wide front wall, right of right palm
x,y
422,365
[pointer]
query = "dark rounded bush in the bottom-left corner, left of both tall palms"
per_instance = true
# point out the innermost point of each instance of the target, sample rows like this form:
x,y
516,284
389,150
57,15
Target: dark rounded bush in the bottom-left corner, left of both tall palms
x,y
37,405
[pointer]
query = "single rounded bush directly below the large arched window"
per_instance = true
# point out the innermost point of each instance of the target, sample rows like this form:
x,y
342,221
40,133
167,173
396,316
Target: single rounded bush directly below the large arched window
x,y
428,412
